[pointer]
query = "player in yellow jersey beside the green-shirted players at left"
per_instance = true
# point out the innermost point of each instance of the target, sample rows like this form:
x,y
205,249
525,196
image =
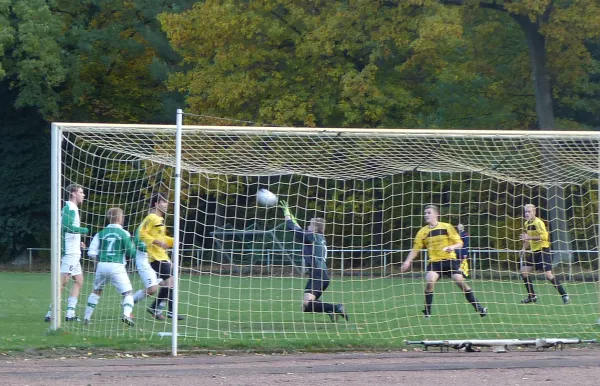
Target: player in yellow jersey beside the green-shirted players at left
x,y
153,233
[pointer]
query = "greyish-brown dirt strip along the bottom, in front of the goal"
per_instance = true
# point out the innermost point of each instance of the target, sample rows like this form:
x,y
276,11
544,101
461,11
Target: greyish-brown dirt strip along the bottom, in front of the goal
x,y
578,366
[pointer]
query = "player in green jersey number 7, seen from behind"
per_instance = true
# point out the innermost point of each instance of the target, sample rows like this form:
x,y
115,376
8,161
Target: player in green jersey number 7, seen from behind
x,y
109,248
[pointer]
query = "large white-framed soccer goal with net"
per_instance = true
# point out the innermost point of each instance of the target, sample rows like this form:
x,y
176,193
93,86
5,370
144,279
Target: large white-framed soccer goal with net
x,y
240,273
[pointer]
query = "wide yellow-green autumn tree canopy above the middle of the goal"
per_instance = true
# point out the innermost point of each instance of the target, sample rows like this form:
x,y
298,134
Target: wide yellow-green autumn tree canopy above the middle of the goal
x,y
311,63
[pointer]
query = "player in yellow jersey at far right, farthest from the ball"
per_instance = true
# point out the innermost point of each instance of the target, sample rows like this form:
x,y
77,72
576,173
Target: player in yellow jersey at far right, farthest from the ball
x,y
536,239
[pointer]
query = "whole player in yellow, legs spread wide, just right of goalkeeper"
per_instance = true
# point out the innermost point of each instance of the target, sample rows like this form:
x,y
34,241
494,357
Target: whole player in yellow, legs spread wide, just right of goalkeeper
x,y
441,240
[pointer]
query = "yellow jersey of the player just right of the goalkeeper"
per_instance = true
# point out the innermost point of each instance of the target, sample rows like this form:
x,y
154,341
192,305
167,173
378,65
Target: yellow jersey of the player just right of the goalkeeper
x,y
436,239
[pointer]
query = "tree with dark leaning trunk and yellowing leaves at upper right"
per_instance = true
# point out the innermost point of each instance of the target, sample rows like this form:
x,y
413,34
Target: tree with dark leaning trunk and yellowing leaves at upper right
x,y
556,32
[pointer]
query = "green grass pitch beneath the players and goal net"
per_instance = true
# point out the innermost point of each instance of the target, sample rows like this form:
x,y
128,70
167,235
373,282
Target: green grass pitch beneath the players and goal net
x,y
262,313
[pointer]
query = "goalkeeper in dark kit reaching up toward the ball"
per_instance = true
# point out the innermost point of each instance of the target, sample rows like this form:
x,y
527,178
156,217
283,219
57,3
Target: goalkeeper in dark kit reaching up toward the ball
x,y
314,253
